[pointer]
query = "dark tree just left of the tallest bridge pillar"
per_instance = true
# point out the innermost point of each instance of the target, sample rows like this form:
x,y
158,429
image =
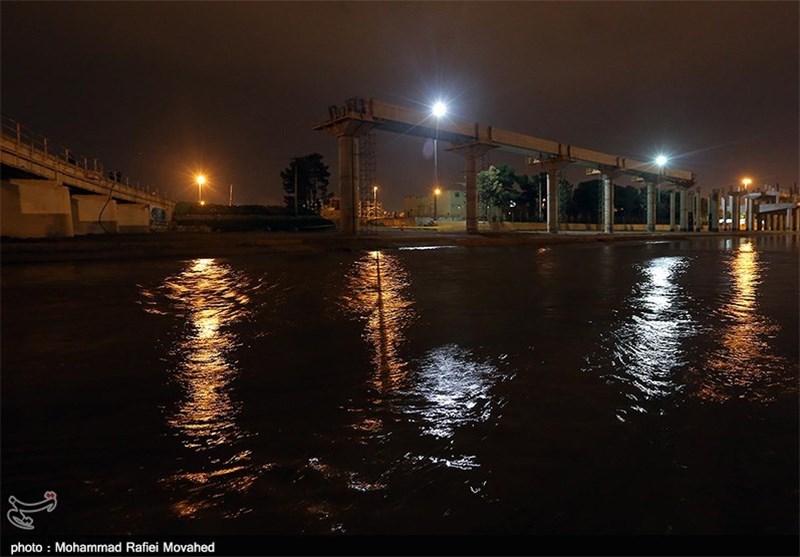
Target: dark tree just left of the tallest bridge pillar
x,y
310,175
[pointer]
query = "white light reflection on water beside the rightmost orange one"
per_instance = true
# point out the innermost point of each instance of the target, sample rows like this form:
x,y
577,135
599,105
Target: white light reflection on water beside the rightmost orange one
x,y
645,350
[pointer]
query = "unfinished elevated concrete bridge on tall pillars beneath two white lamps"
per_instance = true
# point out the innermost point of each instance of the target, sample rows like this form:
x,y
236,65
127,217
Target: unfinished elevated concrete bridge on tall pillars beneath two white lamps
x,y
471,140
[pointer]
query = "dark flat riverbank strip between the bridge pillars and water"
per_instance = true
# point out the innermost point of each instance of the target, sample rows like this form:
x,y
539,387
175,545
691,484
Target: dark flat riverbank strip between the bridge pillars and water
x,y
199,244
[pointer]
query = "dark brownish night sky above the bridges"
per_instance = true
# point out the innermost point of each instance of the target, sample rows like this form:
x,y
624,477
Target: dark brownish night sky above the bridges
x,y
161,89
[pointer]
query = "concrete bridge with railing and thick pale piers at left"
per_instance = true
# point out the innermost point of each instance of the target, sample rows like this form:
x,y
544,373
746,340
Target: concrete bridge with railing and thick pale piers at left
x,y
49,191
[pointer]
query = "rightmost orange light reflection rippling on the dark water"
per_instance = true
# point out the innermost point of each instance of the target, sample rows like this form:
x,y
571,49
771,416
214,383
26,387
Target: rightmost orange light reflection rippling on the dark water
x,y
743,366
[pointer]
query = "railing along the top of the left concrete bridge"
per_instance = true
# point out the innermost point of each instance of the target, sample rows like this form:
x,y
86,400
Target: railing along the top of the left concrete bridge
x,y
28,140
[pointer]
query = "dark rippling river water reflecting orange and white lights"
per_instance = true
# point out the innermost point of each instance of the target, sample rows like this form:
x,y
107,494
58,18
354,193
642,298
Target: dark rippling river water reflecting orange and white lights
x,y
569,389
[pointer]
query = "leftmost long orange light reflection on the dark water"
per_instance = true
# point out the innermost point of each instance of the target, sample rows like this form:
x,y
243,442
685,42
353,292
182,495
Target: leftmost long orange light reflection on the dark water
x,y
210,298
